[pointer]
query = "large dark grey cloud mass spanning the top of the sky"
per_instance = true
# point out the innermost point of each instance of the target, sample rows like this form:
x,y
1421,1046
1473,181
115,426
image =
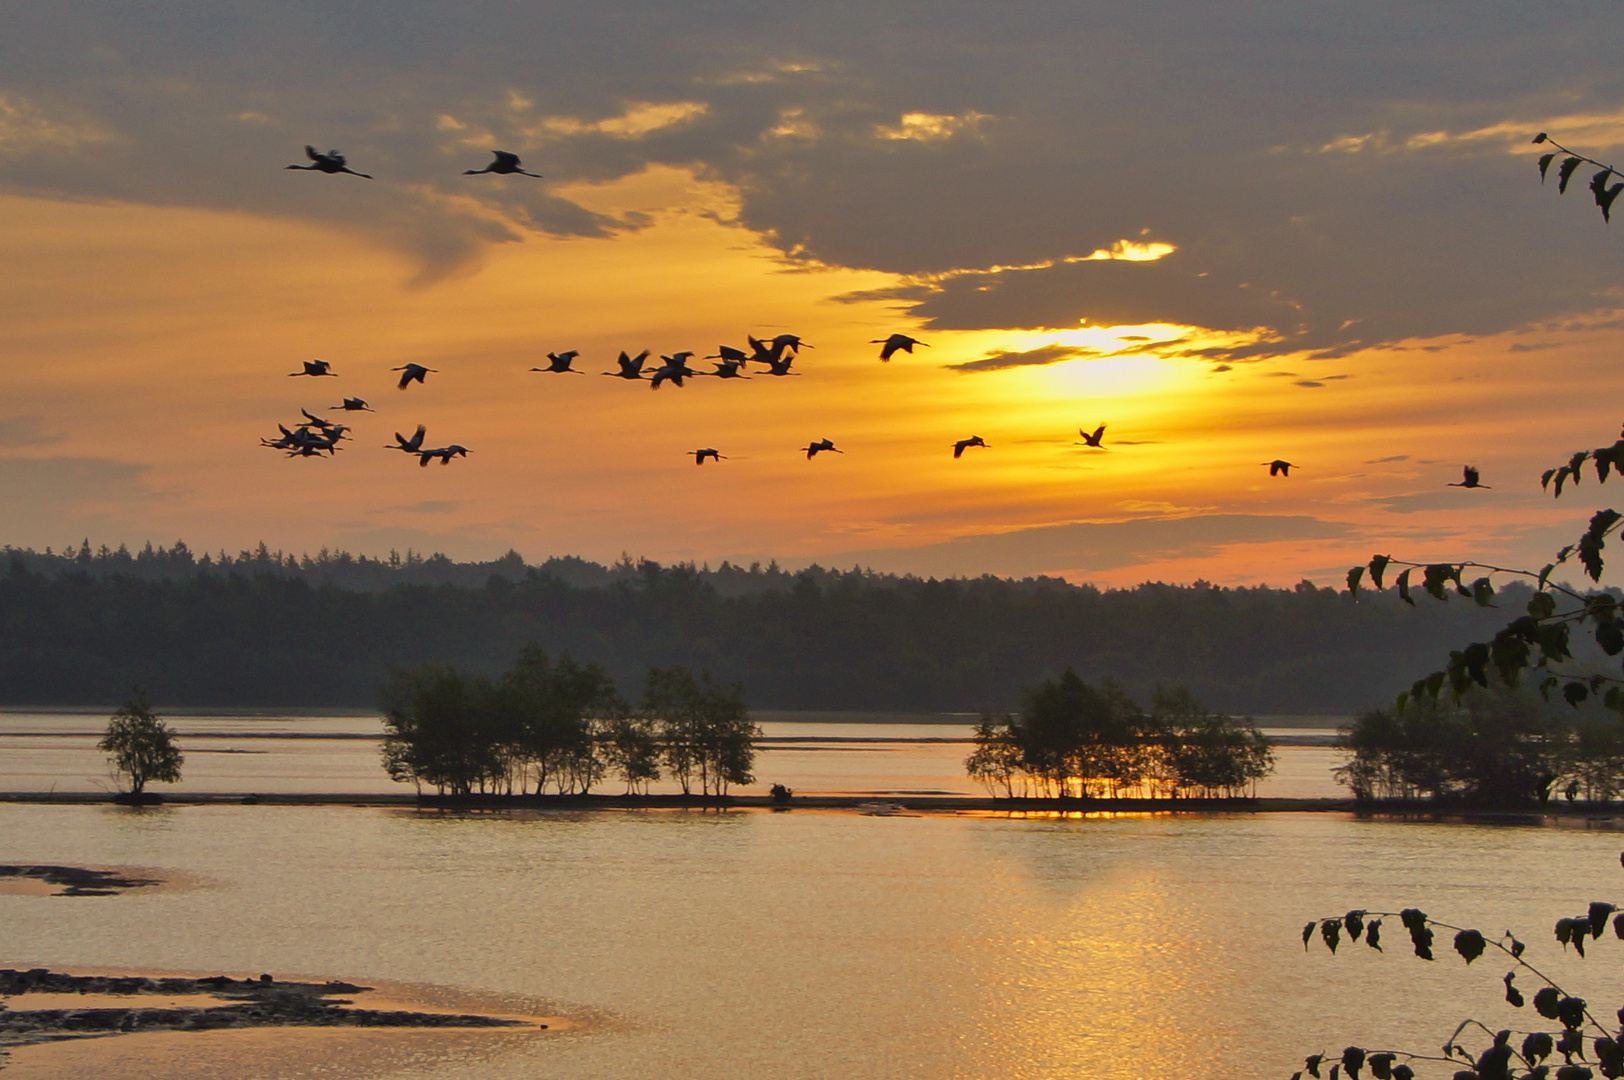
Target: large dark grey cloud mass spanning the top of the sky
x,y
1203,124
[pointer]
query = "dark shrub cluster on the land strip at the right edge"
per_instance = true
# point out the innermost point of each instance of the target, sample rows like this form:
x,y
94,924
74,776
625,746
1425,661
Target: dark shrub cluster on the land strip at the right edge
x,y
1495,746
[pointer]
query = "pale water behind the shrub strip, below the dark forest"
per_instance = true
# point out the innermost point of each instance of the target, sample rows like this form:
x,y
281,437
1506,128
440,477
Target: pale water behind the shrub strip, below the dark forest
x,y
340,754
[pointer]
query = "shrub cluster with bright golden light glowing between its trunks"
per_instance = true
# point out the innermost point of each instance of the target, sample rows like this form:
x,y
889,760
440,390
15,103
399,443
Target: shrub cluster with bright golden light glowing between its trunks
x,y
1074,740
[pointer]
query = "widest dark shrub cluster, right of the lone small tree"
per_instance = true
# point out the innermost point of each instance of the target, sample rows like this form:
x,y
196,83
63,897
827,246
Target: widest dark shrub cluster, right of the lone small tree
x,y
563,727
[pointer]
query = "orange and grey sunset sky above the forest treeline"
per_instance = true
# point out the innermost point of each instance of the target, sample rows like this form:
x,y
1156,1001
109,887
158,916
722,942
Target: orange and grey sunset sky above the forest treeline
x,y
1233,233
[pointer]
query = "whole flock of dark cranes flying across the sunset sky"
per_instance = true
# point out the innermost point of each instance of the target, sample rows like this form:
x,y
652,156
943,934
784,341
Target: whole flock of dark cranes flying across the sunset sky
x,y
317,436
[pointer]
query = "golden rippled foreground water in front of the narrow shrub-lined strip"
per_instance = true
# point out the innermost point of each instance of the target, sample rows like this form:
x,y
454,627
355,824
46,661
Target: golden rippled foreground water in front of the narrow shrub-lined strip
x,y
748,946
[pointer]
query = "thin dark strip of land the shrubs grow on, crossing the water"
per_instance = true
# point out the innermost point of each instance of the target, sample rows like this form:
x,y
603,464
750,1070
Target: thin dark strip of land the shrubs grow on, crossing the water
x,y
865,805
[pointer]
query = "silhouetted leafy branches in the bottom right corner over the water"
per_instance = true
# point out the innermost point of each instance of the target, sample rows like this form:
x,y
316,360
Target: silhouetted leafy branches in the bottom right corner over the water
x,y
1497,1061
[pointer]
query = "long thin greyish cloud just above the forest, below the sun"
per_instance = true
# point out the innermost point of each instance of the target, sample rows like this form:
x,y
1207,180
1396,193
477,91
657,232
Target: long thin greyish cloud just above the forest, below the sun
x,y
1089,548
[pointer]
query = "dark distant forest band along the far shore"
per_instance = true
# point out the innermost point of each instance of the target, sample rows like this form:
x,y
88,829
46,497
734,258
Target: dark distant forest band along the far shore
x,y
266,629
